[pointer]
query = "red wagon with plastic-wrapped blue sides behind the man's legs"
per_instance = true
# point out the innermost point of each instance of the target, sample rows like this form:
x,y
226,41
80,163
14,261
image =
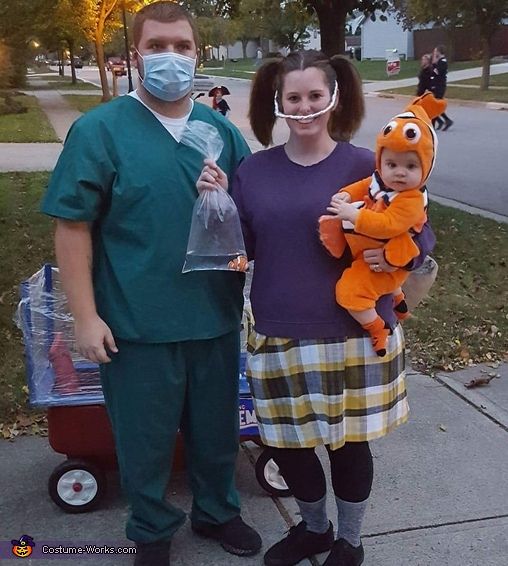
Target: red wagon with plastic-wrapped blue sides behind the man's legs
x,y
78,424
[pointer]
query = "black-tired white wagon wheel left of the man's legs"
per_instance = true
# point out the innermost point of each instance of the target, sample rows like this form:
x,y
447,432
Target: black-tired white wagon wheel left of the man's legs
x,y
77,486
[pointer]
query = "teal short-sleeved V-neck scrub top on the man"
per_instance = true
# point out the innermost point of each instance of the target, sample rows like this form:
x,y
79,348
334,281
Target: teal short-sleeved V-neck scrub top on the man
x,y
123,172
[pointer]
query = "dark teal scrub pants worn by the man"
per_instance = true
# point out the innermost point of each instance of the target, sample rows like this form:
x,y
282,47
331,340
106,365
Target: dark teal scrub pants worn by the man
x,y
151,391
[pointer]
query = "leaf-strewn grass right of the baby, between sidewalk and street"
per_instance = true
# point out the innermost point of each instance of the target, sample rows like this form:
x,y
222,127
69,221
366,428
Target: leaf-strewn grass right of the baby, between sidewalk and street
x,y
465,319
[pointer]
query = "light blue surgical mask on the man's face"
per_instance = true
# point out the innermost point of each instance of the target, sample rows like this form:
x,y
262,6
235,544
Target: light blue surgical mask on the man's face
x,y
168,76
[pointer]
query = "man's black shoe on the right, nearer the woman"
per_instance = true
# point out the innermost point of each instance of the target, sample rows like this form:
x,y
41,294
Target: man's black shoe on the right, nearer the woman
x,y
235,536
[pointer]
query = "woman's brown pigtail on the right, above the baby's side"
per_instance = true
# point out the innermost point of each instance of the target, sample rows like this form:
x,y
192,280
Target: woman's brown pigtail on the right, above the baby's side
x,y
347,117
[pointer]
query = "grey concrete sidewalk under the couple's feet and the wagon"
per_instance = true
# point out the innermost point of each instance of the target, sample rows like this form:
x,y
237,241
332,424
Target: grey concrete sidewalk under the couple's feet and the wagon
x,y
440,495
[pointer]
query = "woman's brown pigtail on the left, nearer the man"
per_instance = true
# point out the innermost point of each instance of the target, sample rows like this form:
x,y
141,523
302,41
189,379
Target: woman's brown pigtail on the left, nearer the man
x,y
261,108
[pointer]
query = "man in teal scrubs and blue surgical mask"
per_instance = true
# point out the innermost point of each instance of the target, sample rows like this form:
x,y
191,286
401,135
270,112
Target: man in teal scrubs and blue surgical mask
x,y
168,343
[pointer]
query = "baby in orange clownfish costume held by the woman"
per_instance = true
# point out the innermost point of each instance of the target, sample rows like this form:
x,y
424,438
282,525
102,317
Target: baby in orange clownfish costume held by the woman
x,y
384,211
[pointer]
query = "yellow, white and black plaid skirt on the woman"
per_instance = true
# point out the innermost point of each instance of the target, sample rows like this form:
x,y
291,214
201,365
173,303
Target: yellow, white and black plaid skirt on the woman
x,y
325,391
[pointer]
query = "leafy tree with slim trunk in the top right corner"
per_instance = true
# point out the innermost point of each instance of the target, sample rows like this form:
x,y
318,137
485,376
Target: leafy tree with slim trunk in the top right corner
x,y
485,16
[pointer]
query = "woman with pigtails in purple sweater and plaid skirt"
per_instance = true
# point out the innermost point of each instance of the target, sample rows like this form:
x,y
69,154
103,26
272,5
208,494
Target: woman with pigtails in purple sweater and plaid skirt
x,y
314,376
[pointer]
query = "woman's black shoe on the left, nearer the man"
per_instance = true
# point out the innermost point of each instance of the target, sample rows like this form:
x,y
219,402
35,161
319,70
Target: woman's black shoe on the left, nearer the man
x,y
299,544
